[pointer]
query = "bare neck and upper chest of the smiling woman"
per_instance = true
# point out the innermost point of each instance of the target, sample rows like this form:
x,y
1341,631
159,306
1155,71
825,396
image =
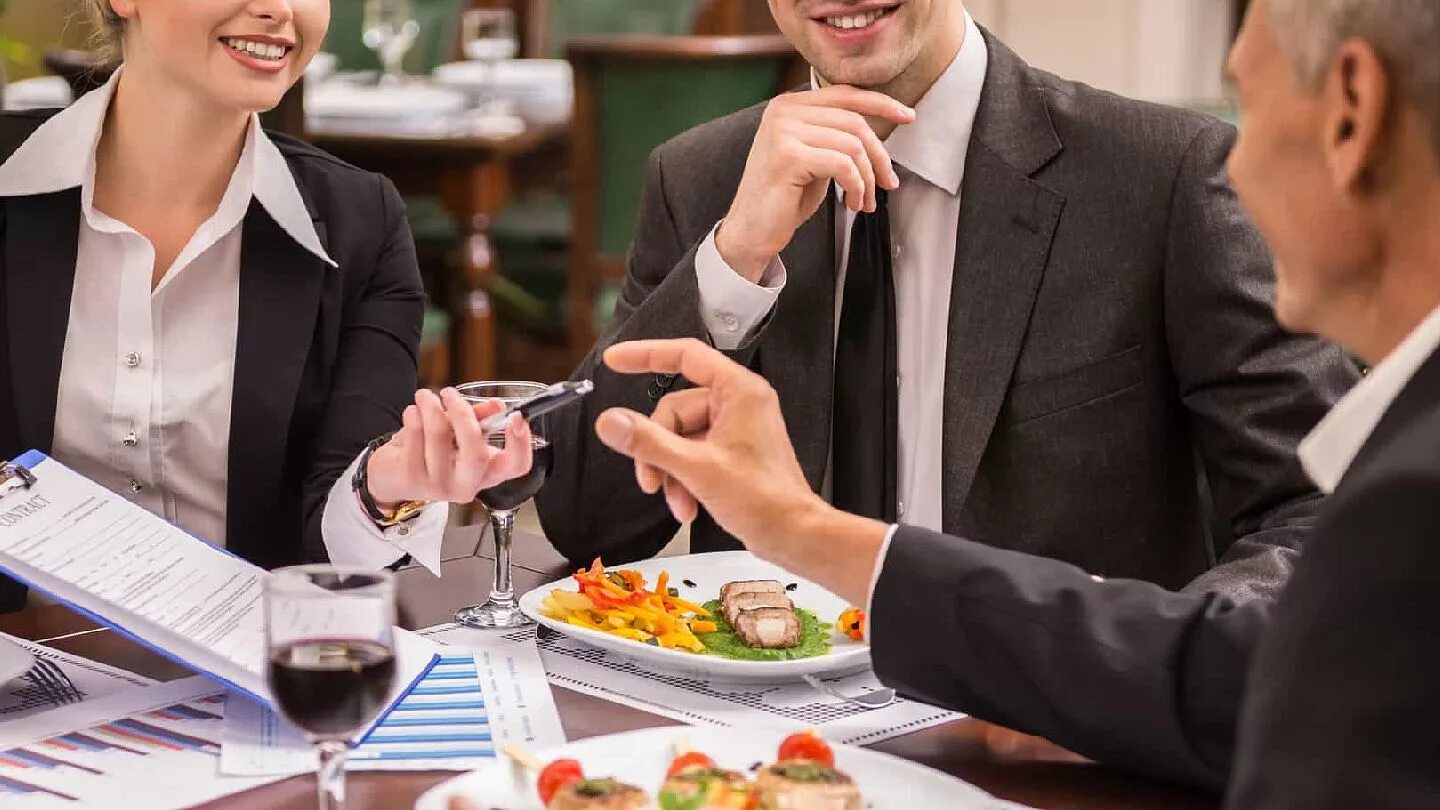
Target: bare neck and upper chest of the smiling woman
x,y
163,148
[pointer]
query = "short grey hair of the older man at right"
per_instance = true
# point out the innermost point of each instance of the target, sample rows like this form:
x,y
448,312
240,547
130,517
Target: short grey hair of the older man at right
x,y
1406,34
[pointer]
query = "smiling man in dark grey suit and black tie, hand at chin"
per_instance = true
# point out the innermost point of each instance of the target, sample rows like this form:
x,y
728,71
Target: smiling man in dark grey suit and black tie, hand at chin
x,y
1022,312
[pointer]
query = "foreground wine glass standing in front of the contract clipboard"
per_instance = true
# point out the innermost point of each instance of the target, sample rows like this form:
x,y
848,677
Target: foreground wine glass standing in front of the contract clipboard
x,y
332,658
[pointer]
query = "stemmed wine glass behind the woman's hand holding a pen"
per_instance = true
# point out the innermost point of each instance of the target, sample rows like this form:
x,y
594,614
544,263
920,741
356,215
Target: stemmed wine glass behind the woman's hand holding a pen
x,y
502,501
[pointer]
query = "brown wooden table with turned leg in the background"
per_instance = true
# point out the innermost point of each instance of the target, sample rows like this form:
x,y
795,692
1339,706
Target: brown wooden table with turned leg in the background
x,y
474,178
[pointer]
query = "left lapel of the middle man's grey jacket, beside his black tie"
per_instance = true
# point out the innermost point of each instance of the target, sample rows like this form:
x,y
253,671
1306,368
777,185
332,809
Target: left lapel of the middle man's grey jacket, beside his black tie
x,y
798,351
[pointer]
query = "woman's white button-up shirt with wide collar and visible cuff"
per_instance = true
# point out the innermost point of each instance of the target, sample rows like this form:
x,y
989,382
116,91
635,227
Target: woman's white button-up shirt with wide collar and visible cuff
x,y
148,374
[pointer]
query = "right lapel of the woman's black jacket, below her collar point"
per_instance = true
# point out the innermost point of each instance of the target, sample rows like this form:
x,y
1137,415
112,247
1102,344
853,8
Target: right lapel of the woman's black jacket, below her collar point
x,y
282,286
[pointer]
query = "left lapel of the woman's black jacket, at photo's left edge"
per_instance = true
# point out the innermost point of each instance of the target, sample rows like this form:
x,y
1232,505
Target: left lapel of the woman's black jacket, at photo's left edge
x,y
41,243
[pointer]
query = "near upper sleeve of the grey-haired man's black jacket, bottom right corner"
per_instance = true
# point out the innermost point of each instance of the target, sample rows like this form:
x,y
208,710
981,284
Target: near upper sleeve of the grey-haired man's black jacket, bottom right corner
x,y
1343,708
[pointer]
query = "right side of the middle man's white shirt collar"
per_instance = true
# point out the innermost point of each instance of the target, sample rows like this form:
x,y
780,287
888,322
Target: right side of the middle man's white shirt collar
x,y
937,145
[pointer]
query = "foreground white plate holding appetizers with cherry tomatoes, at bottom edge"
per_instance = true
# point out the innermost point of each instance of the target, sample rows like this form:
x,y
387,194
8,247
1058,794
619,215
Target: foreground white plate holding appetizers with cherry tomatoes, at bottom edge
x,y
642,757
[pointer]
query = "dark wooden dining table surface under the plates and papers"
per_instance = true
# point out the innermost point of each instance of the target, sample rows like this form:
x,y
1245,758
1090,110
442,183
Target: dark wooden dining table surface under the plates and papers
x,y
1004,763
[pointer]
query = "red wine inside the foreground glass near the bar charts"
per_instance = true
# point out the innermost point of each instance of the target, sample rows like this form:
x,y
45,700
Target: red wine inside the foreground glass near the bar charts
x,y
332,688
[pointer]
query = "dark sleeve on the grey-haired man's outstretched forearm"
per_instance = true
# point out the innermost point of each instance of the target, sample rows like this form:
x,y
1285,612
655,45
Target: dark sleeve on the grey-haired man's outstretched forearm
x,y
1118,671
